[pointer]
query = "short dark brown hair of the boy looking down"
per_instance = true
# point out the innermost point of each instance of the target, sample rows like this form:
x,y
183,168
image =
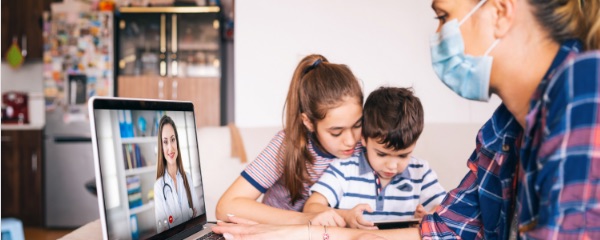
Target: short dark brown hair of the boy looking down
x,y
393,116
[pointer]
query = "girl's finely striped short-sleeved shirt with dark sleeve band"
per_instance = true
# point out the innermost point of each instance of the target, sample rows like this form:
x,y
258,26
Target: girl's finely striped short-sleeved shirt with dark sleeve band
x,y
266,171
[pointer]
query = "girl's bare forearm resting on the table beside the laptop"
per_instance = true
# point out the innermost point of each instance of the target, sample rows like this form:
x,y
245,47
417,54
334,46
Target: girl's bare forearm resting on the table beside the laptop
x,y
240,200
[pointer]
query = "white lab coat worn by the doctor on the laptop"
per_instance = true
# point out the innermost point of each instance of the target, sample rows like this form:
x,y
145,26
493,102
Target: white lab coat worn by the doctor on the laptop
x,y
176,204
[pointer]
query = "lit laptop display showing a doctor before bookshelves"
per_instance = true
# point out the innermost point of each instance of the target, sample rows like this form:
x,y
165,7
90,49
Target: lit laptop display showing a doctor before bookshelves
x,y
138,201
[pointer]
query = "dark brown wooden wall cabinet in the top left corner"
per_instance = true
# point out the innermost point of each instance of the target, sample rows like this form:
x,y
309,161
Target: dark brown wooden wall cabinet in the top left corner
x,y
23,18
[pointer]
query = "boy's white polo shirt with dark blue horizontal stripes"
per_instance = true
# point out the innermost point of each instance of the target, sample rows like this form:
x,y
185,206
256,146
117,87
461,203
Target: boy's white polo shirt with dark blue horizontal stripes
x,y
352,181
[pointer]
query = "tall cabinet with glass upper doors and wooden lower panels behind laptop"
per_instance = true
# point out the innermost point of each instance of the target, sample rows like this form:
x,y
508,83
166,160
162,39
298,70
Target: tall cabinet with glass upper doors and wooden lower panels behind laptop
x,y
172,53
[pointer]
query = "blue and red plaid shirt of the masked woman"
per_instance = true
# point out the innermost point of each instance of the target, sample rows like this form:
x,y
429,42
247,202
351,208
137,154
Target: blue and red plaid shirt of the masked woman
x,y
558,158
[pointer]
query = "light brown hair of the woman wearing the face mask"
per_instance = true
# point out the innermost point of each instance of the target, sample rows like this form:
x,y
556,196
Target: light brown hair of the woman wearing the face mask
x,y
567,19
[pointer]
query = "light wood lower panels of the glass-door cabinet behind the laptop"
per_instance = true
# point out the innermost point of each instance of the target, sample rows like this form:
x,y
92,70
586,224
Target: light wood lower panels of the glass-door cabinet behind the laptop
x,y
204,92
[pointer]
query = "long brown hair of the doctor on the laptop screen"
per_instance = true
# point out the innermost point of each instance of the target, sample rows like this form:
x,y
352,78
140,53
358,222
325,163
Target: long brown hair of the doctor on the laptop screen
x,y
161,164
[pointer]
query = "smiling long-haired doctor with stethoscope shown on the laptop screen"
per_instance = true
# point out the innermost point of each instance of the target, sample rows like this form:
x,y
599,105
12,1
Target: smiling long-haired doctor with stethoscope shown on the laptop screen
x,y
175,198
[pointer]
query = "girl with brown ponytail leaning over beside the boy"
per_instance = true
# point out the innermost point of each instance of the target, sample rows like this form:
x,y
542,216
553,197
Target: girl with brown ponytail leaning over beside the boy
x,y
323,116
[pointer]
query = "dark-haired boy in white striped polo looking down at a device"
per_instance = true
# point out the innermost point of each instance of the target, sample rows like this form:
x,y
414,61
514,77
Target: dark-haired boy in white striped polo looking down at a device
x,y
385,182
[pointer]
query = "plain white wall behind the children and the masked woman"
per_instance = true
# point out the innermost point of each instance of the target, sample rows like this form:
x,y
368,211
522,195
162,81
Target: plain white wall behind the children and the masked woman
x,y
384,42
